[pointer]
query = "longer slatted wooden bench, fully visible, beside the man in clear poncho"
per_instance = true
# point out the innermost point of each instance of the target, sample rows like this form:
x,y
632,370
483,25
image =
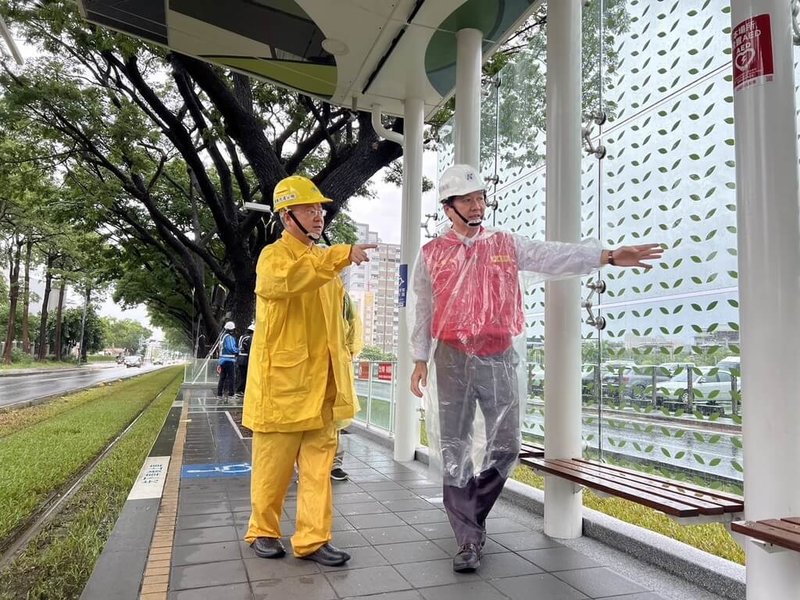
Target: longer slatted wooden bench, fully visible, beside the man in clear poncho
x,y
683,501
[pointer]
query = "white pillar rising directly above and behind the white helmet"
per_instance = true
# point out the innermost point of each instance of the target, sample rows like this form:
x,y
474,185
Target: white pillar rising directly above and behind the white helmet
x,y
468,97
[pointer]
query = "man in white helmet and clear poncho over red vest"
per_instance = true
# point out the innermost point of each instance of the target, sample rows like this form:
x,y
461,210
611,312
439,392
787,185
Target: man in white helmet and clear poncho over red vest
x,y
468,313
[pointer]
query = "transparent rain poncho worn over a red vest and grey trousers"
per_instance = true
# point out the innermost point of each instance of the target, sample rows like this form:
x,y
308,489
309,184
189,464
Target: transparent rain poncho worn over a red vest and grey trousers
x,y
468,323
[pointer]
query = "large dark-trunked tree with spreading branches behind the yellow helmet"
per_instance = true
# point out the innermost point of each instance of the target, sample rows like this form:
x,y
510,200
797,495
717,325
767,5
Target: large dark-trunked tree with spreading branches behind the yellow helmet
x,y
165,149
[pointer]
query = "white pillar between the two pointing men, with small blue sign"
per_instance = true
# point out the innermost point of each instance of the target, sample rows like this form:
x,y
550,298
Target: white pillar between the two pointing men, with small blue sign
x,y
406,418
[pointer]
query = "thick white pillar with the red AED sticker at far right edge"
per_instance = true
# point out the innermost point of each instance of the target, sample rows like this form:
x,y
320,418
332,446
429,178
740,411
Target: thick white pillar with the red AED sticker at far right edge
x,y
769,280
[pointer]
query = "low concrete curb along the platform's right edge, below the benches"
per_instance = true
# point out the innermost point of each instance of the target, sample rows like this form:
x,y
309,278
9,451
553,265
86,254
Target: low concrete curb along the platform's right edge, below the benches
x,y
715,574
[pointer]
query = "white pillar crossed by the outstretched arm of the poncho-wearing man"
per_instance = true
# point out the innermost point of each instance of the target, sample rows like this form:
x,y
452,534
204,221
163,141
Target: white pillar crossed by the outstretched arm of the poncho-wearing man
x,y
562,316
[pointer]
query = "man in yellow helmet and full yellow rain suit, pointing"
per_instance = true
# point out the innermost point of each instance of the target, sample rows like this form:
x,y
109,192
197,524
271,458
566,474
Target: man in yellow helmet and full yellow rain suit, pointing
x,y
300,380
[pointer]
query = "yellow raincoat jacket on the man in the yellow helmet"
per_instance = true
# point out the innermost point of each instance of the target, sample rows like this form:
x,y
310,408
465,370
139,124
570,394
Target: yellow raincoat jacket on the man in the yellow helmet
x,y
299,332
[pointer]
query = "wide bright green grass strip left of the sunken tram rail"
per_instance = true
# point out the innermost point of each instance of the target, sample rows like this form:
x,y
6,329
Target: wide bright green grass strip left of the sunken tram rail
x,y
40,459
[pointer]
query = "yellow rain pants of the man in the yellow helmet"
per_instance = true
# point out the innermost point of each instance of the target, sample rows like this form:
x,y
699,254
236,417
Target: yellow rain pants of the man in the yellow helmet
x,y
274,457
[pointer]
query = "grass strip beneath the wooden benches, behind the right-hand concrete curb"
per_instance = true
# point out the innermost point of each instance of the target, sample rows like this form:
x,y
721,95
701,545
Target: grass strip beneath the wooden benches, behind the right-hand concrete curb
x,y
710,537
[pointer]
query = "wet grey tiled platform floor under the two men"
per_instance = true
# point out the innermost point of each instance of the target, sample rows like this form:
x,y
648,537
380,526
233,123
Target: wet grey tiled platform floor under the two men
x,y
389,516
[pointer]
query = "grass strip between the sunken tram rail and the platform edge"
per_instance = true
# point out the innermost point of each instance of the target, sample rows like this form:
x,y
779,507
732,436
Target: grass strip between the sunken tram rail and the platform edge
x,y
59,560
